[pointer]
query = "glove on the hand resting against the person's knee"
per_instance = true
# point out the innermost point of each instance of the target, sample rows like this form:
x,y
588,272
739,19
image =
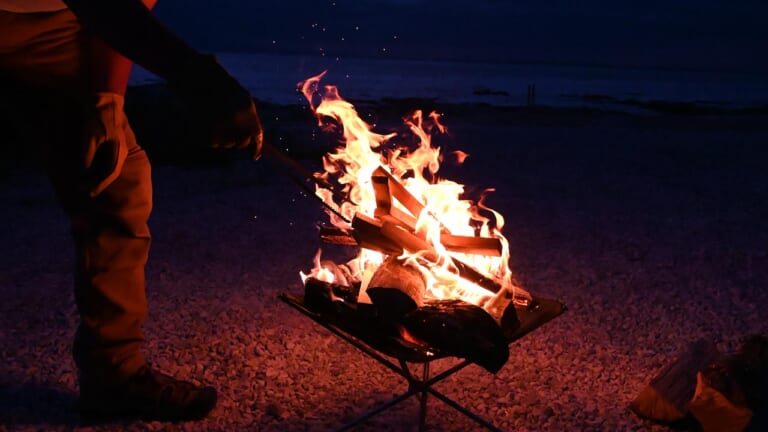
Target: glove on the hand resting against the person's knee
x,y
105,144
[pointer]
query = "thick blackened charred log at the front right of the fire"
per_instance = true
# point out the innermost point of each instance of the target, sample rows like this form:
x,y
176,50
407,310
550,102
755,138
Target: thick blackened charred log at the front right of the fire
x,y
460,329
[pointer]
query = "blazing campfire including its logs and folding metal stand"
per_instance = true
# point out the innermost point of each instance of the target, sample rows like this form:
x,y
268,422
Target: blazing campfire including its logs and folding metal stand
x,y
430,277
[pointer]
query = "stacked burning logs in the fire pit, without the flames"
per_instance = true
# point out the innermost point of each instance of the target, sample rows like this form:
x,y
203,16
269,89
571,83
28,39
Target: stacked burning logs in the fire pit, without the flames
x,y
397,290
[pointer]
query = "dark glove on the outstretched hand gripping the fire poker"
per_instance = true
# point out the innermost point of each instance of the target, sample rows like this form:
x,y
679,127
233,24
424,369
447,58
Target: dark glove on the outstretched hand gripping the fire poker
x,y
220,105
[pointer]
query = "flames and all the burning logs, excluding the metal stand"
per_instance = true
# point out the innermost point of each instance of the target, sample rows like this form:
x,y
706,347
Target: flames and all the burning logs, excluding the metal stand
x,y
429,258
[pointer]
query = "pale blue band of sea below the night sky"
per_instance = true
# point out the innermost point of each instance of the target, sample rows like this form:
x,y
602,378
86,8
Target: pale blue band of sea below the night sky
x,y
273,78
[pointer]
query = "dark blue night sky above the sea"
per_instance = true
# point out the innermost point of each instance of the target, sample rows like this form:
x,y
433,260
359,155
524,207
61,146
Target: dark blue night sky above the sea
x,y
695,34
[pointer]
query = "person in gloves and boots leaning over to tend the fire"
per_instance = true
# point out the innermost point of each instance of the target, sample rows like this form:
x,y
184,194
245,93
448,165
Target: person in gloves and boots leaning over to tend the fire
x,y
71,60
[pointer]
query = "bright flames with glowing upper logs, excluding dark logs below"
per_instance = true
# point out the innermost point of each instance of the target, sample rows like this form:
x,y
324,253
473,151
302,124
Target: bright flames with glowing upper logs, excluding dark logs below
x,y
424,217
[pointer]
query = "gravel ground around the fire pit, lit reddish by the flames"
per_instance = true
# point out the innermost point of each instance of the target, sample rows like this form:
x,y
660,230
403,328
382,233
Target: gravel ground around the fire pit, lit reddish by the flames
x,y
652,230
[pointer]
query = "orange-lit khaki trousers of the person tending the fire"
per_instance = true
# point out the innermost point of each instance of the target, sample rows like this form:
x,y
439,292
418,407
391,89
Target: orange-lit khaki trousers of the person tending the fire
x,y
43,55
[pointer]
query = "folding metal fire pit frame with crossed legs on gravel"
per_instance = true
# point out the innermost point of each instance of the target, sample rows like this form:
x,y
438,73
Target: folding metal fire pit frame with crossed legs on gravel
x,y
539,312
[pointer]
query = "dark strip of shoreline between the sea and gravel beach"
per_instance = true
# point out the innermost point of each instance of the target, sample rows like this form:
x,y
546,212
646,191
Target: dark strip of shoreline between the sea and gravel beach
x,y
160,124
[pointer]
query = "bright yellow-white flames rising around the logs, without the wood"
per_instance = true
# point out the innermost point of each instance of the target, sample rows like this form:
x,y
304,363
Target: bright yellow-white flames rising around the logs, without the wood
x,y
352,166
